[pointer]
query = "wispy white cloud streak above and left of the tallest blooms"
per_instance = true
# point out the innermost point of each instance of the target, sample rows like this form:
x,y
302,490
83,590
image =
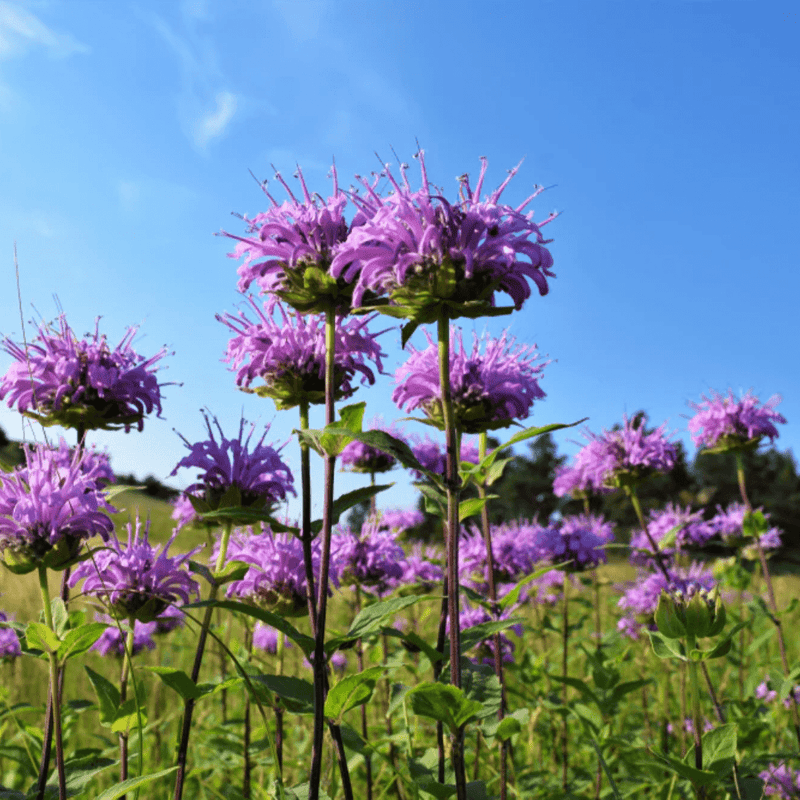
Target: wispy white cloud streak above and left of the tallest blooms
x,y
206,106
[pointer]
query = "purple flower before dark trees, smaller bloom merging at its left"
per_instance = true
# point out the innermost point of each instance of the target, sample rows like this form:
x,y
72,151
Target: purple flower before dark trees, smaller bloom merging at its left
x,y
616,458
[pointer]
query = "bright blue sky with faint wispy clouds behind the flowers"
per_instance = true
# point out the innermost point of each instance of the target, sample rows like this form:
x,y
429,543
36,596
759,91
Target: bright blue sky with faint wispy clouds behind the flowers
x,y
667,131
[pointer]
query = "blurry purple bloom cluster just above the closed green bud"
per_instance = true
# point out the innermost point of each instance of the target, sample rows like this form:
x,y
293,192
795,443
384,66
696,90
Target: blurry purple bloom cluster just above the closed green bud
x,y
640,598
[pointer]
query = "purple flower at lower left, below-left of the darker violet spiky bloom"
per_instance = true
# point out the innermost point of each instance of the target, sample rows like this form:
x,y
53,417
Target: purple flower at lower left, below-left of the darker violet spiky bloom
x,y
137,580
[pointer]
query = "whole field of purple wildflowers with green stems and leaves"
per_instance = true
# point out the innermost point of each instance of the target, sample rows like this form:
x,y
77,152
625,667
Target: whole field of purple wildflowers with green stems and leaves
x,y
307,659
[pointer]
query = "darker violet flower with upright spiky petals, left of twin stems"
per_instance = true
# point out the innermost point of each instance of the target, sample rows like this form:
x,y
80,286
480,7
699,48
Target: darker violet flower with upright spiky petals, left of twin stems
x,y
233,474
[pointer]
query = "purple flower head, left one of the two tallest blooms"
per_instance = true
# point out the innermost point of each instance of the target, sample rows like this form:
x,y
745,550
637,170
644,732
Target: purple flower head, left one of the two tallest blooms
x,y
289,248
